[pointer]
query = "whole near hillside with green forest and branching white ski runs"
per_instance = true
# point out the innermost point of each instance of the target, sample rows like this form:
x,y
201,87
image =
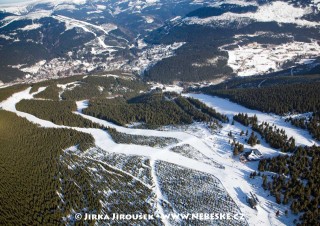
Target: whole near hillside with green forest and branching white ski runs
x,y
168,165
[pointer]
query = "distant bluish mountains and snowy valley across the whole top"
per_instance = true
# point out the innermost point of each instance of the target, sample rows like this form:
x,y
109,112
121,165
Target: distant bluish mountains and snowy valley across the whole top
x,y
165,41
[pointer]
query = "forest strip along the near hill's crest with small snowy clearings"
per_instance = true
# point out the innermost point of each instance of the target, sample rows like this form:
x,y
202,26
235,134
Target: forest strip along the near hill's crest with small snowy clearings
x,y
87,87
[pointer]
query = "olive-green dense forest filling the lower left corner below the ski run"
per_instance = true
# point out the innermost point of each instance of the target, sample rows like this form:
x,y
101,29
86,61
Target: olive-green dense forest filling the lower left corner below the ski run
x,y
30,173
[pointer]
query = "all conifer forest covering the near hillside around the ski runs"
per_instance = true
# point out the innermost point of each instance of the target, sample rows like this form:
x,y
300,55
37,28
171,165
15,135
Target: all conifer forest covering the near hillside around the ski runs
x,y
36,166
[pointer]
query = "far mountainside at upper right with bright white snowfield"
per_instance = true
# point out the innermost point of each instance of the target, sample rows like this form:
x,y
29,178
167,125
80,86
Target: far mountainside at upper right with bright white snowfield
x,y
259,37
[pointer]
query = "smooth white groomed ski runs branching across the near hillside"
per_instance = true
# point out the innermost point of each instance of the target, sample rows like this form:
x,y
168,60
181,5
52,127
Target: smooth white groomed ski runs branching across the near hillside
x,y
234,176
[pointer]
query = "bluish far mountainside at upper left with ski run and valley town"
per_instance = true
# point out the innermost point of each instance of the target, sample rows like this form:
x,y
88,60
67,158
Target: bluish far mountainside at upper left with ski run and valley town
x,y
81,36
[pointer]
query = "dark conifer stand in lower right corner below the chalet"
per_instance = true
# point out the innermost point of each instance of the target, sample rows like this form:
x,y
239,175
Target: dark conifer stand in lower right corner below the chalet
x,y
296,182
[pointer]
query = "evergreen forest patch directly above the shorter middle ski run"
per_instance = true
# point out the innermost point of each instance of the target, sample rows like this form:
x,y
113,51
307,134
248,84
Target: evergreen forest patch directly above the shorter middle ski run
x,y
156,112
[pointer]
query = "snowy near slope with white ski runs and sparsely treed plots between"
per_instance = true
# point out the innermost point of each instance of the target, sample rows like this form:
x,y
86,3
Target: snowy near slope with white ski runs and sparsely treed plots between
x,y
203,158
